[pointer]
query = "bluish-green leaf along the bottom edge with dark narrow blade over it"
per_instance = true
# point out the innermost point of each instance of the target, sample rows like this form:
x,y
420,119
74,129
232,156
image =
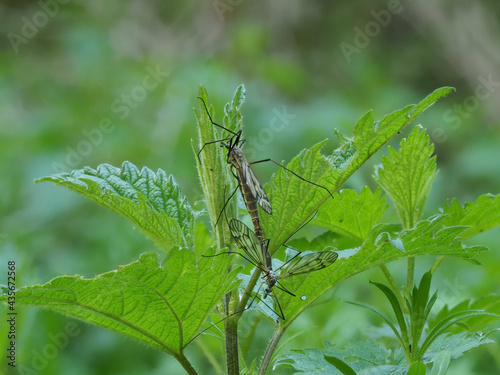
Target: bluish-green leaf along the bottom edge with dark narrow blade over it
x,y
362,358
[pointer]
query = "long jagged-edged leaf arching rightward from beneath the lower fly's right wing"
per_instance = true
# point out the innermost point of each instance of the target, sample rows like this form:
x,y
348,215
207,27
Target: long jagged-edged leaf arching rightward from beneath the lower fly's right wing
x,y
428,237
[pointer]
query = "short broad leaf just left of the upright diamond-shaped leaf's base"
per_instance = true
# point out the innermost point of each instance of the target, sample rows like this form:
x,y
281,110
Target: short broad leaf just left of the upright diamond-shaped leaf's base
x,y
350,214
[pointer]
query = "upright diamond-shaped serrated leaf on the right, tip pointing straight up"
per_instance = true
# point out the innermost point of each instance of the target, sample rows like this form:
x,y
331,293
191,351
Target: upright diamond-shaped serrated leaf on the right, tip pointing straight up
x,y
407,176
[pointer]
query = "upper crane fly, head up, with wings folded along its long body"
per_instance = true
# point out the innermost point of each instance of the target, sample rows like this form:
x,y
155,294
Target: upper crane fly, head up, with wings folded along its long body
x,y
252,191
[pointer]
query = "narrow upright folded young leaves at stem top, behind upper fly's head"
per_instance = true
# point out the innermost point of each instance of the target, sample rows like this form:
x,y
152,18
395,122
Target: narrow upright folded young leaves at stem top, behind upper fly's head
x,y
216,181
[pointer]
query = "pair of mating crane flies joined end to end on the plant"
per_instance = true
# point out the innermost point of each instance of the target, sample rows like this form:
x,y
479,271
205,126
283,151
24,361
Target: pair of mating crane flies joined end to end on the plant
x,y
254,244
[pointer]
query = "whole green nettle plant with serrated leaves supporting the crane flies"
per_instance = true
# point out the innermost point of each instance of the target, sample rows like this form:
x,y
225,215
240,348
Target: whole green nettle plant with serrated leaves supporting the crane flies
x,y
164,303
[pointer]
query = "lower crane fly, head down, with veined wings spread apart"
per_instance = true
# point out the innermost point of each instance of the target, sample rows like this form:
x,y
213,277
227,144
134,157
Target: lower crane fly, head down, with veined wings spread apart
x,y
254,249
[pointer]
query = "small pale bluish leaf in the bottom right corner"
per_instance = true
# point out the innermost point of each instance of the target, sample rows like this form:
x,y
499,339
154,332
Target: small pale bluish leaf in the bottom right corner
x,y
456,345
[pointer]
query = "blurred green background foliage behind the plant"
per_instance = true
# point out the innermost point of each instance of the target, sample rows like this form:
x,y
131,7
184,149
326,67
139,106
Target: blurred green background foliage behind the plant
x,y
90,82
